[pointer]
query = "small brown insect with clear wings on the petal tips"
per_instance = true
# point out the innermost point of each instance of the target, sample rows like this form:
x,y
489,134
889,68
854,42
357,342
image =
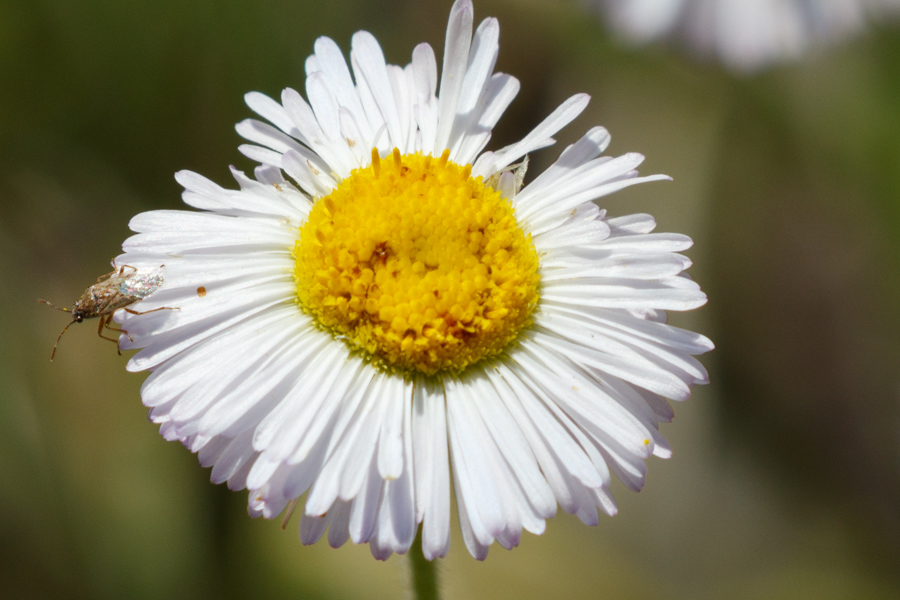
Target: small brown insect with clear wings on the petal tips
x,y
115,290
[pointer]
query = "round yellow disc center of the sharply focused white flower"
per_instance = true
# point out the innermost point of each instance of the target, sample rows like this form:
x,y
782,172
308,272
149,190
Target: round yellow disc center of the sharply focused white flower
x,y
417,264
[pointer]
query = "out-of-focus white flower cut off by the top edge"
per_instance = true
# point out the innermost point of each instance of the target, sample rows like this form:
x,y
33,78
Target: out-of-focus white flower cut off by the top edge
x,y
746,35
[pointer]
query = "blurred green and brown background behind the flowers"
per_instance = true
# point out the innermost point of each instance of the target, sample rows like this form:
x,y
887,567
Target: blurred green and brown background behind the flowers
x,y
784,481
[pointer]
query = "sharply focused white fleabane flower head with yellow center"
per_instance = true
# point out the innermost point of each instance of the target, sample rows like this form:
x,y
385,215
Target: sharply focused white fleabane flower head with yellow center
x,y
385,308
